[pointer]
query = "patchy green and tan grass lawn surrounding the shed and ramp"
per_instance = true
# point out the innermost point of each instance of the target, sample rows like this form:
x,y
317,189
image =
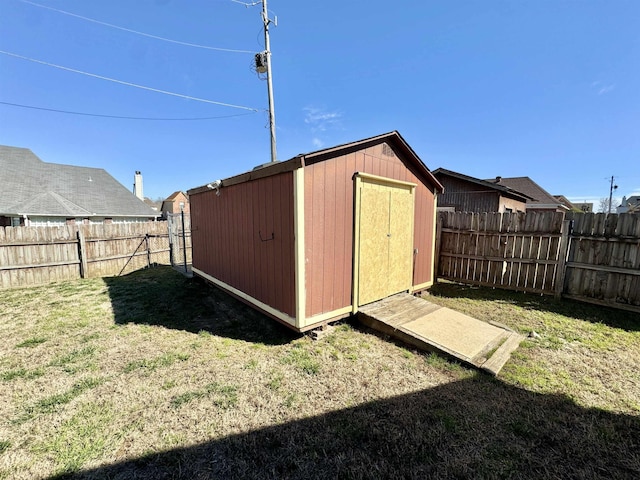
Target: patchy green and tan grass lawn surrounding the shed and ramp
x,y
156,376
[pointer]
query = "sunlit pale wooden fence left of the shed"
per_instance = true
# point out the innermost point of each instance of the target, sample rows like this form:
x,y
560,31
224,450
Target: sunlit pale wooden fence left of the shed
x,y
39,255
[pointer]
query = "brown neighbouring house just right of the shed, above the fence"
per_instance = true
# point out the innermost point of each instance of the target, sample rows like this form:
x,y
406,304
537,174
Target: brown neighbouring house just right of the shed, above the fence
x,y
463,193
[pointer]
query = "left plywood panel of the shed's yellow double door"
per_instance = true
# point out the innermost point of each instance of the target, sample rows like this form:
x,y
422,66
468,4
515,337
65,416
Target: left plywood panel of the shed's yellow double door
x,y
374,244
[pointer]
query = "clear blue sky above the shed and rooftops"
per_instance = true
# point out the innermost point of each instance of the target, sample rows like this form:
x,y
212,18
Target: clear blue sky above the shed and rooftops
x,y
539,88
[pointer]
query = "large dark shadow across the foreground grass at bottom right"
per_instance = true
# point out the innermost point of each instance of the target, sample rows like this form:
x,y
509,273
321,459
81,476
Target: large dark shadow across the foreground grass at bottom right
x,y
474,428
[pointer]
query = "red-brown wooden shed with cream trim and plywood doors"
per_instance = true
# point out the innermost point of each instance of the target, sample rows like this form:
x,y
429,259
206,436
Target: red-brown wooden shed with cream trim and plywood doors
x,y
310,239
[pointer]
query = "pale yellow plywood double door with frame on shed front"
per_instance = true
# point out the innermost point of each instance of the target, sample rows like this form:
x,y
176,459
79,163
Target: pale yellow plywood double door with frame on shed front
x,y
383,263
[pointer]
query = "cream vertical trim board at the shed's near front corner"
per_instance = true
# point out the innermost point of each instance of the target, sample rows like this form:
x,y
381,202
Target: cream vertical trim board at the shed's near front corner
x,y
299,247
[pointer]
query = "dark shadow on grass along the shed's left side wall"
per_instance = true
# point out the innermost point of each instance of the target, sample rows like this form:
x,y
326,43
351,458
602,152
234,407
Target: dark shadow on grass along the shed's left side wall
x,y
163,297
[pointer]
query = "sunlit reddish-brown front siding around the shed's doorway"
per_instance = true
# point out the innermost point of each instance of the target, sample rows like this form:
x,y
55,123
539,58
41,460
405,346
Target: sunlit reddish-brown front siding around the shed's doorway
x,y
329,224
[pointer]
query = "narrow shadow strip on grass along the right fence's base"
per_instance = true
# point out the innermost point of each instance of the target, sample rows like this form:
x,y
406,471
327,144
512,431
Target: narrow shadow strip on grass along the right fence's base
x,y
622,319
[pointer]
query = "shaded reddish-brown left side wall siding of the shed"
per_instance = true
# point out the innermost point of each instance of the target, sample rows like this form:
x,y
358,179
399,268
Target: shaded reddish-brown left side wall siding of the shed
x,y
233,241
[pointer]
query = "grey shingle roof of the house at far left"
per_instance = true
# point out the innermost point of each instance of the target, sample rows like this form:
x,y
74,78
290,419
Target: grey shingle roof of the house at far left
x,y
32,187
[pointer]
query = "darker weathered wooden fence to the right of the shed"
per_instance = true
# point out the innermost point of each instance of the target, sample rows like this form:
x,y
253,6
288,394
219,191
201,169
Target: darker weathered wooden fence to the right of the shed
x,y
589,257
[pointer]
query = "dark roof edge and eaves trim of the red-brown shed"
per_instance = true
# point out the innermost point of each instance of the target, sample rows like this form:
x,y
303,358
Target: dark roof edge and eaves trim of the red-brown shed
x,y
393,139
